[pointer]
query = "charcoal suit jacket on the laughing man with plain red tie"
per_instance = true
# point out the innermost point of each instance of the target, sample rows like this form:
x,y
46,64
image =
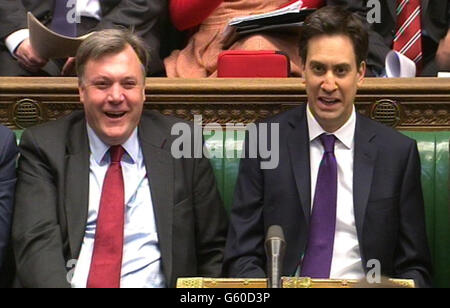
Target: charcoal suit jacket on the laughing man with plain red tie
x,y
52,202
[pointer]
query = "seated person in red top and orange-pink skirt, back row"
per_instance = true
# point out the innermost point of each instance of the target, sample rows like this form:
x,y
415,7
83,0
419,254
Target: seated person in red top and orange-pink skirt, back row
x,y
199,58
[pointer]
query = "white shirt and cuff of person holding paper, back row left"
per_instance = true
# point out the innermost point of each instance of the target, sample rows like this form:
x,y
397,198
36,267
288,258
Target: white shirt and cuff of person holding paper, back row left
x,y
88,8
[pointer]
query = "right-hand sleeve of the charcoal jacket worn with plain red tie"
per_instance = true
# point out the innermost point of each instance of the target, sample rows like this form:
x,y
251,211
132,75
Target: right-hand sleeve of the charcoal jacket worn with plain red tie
x,y
211,220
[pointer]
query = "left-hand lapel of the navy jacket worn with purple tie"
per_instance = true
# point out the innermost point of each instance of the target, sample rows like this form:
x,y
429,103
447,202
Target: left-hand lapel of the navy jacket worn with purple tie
x,y
298,145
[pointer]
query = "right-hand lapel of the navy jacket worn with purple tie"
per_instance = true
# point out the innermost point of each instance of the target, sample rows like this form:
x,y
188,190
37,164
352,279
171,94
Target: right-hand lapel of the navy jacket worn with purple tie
x,y
364,162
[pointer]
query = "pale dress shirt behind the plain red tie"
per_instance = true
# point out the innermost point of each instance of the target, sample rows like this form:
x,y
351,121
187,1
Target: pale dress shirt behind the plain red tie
x,y
141,262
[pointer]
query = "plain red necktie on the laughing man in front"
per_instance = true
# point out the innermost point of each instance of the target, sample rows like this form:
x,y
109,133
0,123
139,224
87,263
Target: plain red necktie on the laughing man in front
x,y
106,261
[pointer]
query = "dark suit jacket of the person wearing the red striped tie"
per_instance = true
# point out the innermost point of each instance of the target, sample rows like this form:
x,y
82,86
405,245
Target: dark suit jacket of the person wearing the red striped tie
x,y
435,22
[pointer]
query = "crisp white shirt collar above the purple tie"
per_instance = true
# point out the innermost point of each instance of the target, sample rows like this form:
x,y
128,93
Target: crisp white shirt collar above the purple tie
x,y
344,134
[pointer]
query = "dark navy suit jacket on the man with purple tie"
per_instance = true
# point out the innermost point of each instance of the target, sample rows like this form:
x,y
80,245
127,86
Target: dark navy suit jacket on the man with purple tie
x,y
388,202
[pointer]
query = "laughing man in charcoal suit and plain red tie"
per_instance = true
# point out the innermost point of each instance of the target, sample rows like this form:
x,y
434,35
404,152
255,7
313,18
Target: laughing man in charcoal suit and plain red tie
x,y
174,221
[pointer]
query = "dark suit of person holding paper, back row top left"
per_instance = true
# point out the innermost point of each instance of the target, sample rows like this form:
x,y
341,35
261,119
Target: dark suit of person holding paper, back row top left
x,y
143,15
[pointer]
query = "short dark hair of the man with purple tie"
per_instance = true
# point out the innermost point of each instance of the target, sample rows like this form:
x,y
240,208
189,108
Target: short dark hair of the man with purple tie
x,y
335,20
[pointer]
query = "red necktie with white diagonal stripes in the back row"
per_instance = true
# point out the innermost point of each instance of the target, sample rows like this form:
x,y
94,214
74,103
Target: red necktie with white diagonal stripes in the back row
x,y
408,39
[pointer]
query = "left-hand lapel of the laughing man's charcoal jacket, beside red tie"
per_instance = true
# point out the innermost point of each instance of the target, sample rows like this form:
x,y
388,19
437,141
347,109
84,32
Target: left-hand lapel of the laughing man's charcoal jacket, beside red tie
x,y
77,186
